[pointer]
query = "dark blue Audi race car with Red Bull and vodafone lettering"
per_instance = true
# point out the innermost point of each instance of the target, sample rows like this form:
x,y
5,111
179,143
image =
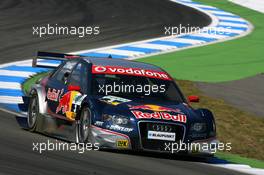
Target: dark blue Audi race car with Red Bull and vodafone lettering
x,y
116,103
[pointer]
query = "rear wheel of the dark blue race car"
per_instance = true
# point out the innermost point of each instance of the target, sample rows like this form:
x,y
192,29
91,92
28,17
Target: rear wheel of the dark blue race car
x,y
33,113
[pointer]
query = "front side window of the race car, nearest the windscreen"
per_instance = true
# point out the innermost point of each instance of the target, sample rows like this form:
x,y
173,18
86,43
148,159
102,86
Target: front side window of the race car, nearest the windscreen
x,y
79,77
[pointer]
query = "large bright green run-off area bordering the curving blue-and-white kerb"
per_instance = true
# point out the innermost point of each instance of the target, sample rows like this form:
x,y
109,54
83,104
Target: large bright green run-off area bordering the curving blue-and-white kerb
x,y
230,60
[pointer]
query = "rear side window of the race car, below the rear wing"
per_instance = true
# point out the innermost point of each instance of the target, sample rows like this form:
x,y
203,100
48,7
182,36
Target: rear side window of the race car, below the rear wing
x,y
67,68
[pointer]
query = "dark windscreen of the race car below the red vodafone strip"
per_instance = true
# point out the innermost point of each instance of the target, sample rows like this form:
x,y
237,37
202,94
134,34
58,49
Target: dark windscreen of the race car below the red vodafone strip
x,y
136,87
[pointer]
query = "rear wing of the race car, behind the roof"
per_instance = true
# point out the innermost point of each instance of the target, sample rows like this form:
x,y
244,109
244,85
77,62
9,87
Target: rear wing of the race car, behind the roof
x,y
51,60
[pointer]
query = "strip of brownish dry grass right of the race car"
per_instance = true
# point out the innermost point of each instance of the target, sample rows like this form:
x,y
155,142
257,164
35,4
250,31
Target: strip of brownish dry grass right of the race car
x,y
243,130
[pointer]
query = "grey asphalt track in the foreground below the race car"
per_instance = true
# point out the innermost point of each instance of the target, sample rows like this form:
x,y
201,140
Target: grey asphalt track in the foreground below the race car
x,y
17,157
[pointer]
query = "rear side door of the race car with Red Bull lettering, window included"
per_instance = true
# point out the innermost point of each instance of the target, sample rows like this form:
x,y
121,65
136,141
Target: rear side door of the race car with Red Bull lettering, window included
x,y
56,88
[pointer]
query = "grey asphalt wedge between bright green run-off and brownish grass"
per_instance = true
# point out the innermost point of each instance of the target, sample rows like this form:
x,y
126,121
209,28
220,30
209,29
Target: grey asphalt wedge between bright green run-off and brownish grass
x,y
246,95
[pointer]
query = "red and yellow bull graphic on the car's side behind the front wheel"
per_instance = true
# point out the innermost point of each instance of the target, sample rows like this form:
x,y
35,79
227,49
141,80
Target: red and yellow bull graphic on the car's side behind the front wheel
x,y
69,103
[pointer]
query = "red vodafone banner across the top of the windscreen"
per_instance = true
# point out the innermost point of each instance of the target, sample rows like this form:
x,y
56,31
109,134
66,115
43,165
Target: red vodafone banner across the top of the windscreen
x,y
130,71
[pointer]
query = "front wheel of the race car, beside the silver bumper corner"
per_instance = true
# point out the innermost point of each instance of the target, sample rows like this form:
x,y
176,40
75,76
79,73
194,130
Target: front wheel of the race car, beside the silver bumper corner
x,y
83,125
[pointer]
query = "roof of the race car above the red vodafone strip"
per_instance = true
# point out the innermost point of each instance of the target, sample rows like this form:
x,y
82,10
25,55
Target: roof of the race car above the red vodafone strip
x,y
122,63
